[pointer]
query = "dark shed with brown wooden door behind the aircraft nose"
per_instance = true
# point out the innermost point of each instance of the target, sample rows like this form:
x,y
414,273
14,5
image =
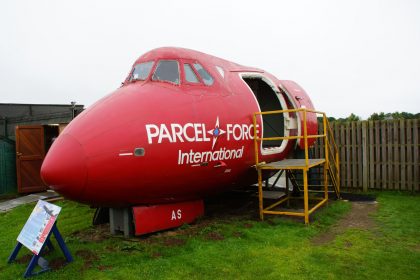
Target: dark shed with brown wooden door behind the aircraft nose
x,y
27,131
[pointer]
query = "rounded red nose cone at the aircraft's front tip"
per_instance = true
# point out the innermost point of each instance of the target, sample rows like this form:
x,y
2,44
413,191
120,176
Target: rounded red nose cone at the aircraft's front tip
x,y
64,167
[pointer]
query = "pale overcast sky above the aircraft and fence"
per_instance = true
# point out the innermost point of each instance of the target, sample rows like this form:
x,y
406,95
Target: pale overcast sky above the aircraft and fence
x,y
353,56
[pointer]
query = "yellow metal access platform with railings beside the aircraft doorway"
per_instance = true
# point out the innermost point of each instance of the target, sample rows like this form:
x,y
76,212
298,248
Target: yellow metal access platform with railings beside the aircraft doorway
x,y
329,164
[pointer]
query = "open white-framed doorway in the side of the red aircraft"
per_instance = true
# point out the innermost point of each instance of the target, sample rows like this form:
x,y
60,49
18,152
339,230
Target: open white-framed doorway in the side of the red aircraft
x,y
269,99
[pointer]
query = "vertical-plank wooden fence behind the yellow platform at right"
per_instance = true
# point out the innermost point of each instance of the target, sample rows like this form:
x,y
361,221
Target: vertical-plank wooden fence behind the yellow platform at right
x,y
380,155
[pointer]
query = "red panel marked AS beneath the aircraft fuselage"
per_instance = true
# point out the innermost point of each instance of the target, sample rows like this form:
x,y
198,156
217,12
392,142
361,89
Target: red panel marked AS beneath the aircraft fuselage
x,y
164,216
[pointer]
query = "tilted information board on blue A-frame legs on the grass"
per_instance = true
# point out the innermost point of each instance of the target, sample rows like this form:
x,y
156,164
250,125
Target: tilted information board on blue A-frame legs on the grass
x,y
36,236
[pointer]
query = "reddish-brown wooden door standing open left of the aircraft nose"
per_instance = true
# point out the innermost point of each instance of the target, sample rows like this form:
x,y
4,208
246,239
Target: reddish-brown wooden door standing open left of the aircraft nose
x,y
30,152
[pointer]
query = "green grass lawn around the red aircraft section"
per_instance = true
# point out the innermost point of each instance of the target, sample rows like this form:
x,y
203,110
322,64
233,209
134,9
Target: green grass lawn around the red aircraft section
x,y
236,247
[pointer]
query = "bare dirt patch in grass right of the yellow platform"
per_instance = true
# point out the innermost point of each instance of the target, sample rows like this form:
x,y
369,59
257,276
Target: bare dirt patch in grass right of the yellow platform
x,y
358,217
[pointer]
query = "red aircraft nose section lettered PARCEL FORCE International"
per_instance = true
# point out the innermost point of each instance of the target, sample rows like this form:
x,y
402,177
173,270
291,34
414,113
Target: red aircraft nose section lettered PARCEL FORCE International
x,y
159,139
